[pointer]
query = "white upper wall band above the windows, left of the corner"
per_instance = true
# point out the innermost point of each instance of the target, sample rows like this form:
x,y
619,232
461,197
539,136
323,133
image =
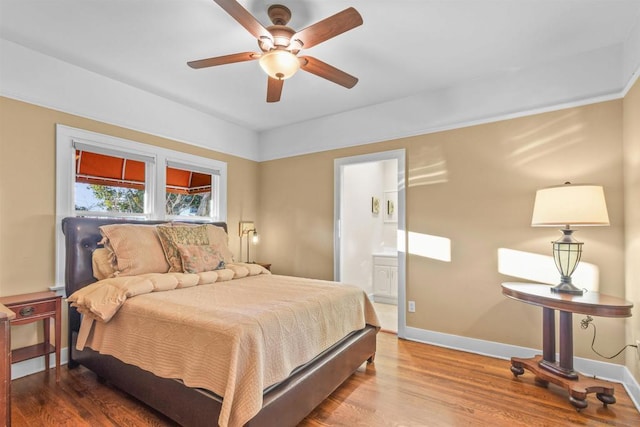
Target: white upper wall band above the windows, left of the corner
x,y
42,80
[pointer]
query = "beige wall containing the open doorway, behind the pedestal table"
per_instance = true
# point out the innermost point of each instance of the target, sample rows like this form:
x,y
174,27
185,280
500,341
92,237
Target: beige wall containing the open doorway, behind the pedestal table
x,y
492,172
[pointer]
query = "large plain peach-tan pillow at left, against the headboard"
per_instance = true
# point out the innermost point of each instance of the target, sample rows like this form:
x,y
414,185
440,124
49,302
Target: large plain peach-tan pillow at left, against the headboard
x,y
136,247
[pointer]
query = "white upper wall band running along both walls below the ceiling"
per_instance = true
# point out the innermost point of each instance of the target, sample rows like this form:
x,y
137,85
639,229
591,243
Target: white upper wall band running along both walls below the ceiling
x,y
586,78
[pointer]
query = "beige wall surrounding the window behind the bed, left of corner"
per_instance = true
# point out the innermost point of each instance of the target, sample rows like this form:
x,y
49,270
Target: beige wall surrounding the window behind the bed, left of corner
x,y
27,195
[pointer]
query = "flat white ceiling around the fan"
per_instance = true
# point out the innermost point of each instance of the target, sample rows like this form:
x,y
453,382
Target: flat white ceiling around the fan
x,y
404,47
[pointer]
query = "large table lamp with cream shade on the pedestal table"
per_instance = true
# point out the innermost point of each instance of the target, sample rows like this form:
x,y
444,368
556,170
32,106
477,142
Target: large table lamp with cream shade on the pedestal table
x,y
567,205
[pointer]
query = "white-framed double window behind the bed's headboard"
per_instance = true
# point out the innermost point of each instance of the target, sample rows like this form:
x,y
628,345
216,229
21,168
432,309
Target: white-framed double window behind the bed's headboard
x,y
101,175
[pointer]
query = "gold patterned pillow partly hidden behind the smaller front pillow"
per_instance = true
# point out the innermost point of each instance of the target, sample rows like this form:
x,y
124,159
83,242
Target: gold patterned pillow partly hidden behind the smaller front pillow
x,y
171,236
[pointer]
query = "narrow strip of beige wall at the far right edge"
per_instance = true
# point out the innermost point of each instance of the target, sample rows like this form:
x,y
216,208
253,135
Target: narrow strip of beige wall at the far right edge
x,y
631,132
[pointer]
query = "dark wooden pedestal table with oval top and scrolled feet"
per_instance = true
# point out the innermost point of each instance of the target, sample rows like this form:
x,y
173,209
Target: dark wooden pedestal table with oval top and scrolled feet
x,y
544,367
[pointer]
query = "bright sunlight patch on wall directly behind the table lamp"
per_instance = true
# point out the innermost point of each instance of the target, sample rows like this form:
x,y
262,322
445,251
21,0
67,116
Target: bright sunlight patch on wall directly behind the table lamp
x,y
541,269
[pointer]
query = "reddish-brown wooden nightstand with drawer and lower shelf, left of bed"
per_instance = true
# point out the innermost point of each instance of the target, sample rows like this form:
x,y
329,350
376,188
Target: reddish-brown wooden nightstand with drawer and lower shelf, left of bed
x,y
32,308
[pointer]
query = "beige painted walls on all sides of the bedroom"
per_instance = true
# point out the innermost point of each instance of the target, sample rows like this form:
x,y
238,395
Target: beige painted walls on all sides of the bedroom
x,y
492,172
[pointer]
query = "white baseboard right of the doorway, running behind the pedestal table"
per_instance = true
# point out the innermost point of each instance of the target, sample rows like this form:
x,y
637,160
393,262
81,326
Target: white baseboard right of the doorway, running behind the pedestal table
x,y
604,370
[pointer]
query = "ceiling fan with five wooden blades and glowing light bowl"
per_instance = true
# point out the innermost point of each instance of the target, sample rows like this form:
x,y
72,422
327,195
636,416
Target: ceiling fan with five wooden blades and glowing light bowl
x,y
281,44
